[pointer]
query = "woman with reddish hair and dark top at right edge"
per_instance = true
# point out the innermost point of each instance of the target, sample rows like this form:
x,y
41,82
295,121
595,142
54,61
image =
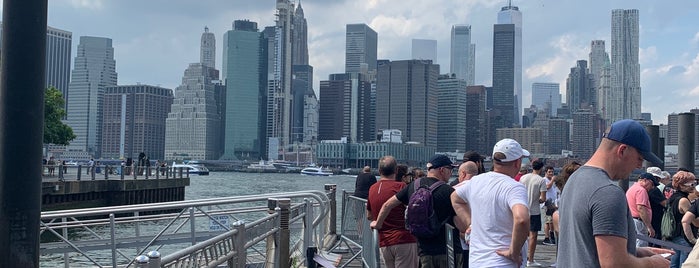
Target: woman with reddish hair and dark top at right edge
x,y
683,182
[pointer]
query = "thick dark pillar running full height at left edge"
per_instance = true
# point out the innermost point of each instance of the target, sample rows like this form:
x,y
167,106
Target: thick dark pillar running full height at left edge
x,y
22,76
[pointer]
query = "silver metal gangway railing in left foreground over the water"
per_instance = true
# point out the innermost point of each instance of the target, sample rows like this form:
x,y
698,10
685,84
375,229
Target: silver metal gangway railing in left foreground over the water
x,y
207,232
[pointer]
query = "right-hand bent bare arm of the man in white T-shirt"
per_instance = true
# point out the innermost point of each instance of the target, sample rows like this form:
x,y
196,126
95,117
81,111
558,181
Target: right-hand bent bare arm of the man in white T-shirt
x,y
520,231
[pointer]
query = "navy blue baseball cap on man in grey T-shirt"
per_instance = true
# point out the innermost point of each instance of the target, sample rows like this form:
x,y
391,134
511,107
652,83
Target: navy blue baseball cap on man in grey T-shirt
x,y
632,133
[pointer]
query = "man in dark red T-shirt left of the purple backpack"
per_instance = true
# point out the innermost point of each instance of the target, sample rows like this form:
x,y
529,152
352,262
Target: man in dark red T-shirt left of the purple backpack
x,y
397,246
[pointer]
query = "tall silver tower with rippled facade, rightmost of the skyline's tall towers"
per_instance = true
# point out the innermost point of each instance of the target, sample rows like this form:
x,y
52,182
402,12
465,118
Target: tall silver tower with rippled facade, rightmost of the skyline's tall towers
x,y
626,70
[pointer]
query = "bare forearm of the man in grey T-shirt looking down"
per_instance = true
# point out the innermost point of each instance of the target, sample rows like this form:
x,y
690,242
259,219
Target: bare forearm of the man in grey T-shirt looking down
x,y
612,253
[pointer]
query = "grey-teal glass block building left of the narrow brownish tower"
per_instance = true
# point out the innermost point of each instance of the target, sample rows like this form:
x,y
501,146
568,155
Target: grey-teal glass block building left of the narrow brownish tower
x,y
451,113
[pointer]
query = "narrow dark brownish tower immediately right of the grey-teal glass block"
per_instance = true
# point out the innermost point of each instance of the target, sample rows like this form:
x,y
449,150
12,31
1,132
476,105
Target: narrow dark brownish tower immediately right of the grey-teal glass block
x,y
476,120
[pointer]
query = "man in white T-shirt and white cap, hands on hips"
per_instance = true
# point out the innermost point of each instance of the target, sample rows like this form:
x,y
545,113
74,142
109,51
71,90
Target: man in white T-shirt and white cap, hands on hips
x,y
494,207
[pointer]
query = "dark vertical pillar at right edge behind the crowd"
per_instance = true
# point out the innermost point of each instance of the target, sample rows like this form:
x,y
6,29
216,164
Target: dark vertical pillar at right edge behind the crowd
x,y
685,145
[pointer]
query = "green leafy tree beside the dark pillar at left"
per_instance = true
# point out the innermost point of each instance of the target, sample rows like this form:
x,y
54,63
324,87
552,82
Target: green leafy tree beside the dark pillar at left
x,y
55,131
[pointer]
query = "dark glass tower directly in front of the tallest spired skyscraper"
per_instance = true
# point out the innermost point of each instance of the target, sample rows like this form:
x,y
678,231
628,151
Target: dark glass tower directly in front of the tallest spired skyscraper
x,y
503,96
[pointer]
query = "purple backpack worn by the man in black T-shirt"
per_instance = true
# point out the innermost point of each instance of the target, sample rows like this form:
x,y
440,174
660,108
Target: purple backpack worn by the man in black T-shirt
x,y
420,217
